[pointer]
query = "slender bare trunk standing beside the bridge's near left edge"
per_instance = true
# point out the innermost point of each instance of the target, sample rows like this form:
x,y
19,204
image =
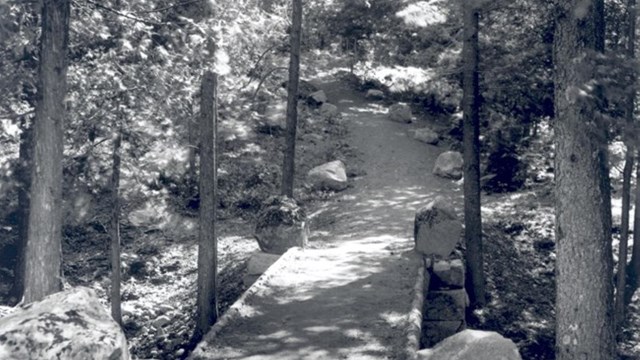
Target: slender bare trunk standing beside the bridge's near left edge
x,y
207,305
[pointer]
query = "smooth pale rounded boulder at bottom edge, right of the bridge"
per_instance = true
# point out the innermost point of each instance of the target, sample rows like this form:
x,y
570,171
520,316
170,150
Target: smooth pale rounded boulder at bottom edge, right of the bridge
x,y
473,345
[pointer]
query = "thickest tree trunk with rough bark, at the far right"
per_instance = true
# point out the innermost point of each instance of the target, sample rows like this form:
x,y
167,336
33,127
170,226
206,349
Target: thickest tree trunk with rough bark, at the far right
x,y
584,265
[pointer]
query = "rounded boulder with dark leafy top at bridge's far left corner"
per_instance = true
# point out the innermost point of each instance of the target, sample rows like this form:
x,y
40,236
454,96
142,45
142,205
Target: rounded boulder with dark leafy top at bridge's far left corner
x,y
281,225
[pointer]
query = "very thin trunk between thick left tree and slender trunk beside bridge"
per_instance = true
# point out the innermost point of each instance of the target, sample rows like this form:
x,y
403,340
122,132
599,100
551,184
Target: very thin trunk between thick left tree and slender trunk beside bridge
x,y
114,231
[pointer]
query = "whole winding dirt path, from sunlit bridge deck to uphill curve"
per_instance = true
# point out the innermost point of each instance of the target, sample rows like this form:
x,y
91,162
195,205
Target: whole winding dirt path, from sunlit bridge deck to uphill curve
x,y
349,294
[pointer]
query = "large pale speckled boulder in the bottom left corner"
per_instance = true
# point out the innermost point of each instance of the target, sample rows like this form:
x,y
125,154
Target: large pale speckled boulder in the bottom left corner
x,y
67,325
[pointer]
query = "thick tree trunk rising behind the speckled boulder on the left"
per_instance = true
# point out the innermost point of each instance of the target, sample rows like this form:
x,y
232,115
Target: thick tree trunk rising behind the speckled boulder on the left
x,y
43,250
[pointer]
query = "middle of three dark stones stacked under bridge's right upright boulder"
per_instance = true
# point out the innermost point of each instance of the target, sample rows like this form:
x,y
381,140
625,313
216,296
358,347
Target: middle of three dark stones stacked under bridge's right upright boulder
x,y
449,305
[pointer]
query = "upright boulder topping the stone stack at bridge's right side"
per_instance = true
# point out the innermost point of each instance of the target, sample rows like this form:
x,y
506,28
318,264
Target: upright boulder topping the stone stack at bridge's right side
x,y
437,229
